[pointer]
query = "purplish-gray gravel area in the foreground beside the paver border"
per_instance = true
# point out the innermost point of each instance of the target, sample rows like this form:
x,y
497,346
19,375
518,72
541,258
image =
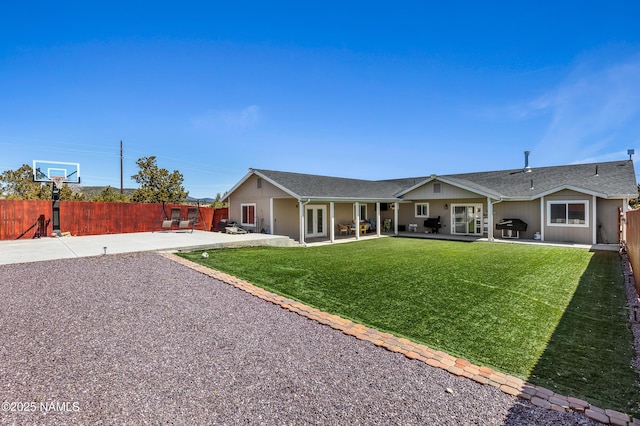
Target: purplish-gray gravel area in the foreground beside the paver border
x,y
140,339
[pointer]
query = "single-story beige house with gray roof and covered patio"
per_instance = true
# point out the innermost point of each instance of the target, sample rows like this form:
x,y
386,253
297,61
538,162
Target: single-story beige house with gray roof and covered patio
x,y
581,203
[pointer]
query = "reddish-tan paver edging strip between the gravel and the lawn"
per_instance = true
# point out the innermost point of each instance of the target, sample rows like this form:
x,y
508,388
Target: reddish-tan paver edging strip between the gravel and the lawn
x,y
511,385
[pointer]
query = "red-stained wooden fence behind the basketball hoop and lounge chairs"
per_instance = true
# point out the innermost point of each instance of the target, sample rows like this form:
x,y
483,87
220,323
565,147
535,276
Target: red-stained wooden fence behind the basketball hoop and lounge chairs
x,y
32,218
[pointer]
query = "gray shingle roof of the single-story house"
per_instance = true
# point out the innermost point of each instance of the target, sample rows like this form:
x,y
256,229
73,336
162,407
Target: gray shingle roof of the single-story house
x,y
613,179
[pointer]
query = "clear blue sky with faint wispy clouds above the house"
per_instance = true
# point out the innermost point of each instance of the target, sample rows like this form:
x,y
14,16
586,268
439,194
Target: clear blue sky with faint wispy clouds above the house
x,y
371,90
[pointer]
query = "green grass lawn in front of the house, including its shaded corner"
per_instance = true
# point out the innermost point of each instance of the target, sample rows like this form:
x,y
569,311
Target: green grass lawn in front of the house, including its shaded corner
x,y
553,316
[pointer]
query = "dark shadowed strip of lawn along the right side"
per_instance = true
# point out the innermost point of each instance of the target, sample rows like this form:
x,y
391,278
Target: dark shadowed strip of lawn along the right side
x,y
590,352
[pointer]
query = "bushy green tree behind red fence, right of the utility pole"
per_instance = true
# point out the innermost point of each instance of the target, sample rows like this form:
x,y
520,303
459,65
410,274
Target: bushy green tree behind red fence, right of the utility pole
x,y
157,185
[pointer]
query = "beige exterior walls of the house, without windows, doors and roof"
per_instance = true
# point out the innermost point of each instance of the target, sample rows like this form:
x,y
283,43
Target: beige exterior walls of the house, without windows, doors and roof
x,y
287,221
